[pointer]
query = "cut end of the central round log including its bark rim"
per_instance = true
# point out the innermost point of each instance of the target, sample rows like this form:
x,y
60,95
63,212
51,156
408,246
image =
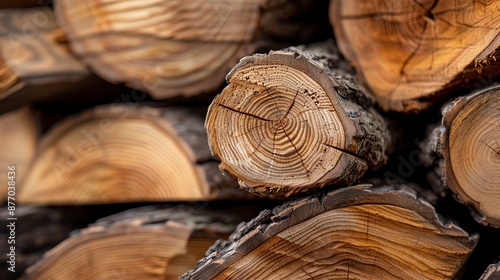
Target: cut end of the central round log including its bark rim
x,y
279,127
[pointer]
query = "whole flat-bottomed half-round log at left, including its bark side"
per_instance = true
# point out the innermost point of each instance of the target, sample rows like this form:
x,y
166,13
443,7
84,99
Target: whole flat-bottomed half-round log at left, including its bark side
x,y
126,153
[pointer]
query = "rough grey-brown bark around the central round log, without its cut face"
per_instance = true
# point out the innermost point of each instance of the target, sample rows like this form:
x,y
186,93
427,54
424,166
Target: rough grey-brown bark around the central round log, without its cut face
x,y
368,138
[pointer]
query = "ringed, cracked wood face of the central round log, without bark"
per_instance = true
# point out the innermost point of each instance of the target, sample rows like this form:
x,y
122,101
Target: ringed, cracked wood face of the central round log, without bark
x,y
276,126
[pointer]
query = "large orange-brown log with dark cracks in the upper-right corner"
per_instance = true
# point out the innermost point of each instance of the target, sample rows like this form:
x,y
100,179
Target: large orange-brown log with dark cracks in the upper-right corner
x,y
423,50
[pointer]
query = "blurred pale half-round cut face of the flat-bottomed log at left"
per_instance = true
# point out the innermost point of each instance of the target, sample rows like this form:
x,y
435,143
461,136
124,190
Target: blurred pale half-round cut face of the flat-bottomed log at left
x,y
117,159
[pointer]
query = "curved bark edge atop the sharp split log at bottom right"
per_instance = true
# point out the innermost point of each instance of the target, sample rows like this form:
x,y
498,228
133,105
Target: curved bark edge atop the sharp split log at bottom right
x,y
268,223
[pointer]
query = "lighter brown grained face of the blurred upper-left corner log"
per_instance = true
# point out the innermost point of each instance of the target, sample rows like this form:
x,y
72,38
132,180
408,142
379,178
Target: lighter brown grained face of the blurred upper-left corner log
x,y
29,52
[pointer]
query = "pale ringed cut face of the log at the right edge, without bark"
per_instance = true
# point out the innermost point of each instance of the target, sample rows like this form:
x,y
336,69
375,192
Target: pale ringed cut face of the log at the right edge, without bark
x,y
474,151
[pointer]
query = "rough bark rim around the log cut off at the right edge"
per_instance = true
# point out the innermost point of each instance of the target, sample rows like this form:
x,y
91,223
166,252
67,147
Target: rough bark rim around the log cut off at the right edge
x,y
435,154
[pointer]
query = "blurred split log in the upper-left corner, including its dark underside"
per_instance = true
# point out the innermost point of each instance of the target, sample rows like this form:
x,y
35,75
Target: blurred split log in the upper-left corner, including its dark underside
x,y
37,66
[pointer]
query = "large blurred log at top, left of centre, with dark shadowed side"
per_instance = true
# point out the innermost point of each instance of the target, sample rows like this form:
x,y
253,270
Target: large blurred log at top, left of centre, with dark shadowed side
x,y
181,48
